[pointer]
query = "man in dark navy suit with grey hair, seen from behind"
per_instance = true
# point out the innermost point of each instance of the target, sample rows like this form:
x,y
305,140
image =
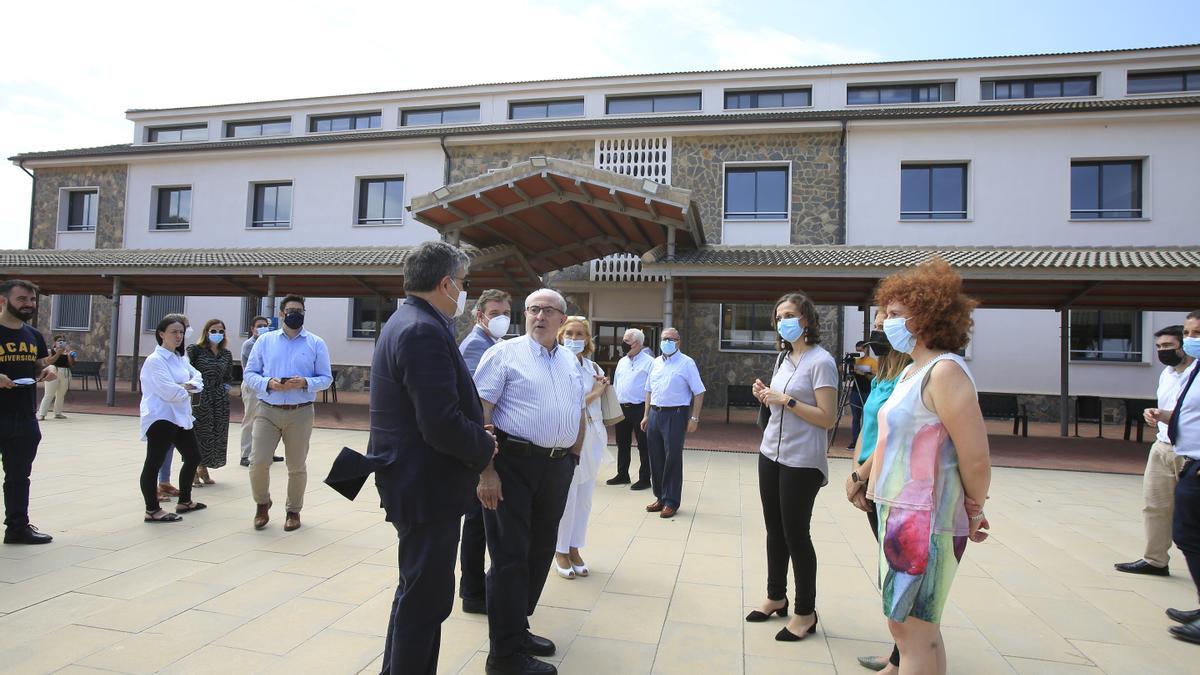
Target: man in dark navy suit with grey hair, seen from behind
x,y
429,446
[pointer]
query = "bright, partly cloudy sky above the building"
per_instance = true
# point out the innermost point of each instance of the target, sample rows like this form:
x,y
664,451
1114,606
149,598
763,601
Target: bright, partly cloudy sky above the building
x,y
70,70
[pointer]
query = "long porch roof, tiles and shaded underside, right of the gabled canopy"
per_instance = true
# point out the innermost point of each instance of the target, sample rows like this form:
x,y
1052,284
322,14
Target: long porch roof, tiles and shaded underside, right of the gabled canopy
x,y
1001,278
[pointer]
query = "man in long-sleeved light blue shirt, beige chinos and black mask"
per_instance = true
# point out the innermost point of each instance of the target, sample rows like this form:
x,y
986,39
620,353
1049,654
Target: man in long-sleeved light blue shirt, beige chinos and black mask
x,y
286,369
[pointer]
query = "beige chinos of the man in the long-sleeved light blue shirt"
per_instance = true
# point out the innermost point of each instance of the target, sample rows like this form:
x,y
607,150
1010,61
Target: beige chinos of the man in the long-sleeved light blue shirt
x,y
295,428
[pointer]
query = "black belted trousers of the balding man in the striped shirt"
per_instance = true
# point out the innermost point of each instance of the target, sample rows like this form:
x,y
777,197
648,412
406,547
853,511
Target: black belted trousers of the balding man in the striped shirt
x,y
521,537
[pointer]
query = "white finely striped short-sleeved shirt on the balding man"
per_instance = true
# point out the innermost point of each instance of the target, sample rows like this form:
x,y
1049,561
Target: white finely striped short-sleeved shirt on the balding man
x,y
537,393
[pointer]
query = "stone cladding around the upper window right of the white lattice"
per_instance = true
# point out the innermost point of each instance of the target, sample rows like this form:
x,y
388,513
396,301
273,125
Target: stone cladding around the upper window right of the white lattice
x,y
817,186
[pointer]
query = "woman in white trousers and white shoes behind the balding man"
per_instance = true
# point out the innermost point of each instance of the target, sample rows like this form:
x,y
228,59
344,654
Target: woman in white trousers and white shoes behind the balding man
x,y
575,336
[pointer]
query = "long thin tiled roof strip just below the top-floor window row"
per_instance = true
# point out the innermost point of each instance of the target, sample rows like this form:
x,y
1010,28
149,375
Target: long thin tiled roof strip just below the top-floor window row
x,y
849,115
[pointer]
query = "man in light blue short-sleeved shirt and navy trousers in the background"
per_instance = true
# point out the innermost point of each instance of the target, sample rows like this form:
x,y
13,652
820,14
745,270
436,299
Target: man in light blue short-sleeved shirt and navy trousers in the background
x,y
674,398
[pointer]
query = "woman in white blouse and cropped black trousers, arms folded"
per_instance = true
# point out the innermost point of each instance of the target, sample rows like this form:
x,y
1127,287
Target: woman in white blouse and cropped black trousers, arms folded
x,y
169,383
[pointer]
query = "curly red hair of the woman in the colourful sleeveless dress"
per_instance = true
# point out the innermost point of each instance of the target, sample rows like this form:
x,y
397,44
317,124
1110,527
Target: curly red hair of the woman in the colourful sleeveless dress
x,y
939,313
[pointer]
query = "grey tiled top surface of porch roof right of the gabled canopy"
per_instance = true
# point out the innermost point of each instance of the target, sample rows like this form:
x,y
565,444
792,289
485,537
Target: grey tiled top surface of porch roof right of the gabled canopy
x,y
1025,259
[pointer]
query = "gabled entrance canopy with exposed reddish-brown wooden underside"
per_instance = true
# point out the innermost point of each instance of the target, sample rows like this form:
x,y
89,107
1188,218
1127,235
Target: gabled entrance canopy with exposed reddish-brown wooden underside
x,y
557,213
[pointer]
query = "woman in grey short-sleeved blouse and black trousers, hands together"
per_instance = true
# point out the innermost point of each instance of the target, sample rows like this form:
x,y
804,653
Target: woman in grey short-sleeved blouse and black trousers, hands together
x,y
803,399
